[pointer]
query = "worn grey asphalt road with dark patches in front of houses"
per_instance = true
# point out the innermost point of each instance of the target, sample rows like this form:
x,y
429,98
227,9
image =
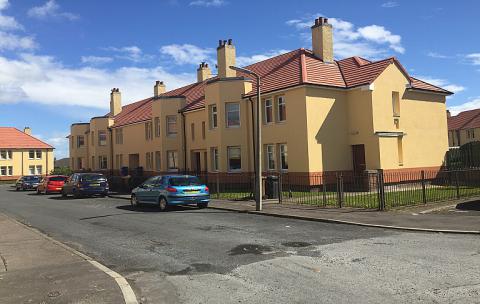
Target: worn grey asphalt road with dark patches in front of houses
x,y
189,255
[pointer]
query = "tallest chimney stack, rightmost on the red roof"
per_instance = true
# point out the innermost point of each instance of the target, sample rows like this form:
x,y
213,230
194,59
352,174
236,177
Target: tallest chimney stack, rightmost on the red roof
x,y
322,39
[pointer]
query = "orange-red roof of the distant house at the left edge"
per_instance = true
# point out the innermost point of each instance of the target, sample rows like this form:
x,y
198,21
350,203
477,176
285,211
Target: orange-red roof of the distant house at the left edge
x,y
13,138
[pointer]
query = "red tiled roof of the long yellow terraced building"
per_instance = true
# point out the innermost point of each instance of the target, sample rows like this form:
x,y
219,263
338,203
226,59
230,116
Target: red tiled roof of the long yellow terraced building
x,y
286,70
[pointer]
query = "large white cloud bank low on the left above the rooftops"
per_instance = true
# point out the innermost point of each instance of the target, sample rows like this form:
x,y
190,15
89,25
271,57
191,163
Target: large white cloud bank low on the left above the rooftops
x,y
42,79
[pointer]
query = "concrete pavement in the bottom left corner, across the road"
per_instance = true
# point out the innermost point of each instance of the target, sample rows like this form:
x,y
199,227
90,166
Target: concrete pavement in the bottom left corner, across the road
x,y
34,269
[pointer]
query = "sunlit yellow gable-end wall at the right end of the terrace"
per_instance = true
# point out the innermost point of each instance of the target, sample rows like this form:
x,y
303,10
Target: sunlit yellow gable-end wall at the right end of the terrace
x,y
422,119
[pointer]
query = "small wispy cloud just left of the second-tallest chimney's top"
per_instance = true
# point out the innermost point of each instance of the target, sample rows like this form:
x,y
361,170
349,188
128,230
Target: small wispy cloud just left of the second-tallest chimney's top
x,y
187,53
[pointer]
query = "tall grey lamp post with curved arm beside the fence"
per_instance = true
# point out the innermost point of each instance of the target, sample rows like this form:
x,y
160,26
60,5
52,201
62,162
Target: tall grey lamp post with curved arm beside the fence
x,y
258,141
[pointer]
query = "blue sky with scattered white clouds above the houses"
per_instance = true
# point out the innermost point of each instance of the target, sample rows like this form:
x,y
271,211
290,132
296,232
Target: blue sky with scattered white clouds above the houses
x,y
59,59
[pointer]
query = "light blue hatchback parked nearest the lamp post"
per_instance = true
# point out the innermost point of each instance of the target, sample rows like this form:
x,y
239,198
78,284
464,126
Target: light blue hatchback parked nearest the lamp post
x,y
171,190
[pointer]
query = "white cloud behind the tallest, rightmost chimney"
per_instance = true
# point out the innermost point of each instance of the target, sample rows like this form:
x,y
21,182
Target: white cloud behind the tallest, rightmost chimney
x,y
372,41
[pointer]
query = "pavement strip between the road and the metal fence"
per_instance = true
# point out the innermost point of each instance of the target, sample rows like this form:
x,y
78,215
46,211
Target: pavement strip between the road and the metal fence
x,y
406,219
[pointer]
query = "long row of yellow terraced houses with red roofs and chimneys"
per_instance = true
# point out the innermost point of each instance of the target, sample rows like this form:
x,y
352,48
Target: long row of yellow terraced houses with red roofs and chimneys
x,y
319,115
